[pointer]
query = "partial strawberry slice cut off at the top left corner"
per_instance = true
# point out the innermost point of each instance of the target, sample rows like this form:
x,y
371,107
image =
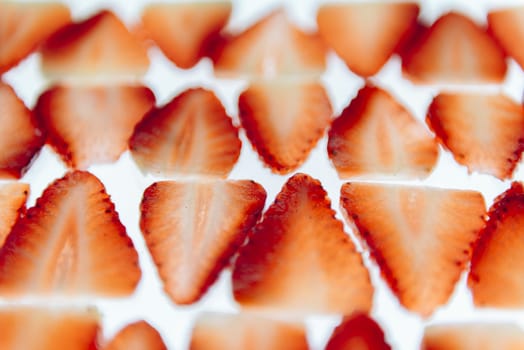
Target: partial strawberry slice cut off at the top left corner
x,y
23,26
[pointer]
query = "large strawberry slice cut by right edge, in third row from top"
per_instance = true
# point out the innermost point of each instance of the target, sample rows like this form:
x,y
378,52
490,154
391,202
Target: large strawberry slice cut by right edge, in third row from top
x,y
497,258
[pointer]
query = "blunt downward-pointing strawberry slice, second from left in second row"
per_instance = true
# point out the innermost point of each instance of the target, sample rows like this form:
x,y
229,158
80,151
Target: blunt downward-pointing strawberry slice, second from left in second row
x,y
88,125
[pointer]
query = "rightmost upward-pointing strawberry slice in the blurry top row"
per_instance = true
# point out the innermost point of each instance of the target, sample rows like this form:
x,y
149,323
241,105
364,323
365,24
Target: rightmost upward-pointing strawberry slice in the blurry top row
x,y
454,50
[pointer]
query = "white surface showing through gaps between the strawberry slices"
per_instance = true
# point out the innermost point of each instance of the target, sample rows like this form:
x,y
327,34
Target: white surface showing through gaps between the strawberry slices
x,y
125,183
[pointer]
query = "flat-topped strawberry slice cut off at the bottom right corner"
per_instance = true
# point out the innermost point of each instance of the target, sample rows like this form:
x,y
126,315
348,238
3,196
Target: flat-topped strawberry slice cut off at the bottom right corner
x,y
480,336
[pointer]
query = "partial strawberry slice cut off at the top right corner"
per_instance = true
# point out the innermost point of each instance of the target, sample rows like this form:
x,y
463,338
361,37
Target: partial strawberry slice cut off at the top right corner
x,y
507,26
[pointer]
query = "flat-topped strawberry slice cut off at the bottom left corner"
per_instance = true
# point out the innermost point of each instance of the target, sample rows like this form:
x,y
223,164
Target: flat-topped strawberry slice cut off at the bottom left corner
x,y
46,329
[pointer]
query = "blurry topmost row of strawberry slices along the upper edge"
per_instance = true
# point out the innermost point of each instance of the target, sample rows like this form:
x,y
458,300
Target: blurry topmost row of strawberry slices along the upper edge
x,y
453,49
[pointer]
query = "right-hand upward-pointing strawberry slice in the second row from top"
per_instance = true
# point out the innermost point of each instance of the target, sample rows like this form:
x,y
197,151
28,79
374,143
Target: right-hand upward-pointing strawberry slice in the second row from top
x,y
375,135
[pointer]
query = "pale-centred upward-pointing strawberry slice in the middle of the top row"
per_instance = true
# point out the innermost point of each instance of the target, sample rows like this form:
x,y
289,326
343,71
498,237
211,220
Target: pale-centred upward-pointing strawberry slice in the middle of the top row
x,y
271,47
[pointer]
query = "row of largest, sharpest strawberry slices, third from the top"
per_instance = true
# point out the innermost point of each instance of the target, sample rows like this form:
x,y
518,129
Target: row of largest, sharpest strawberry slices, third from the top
x,y
298,259
